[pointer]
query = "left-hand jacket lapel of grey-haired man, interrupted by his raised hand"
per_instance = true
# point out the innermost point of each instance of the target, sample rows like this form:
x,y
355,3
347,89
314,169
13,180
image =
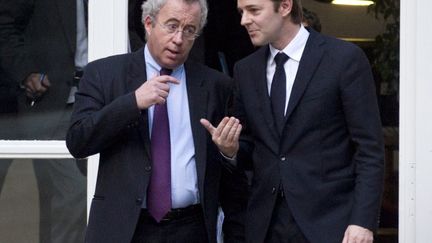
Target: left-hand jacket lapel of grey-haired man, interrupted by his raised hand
x,y
136,76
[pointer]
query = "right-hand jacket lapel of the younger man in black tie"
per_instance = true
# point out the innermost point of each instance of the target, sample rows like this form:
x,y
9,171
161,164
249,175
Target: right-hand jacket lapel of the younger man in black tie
x,y
308,64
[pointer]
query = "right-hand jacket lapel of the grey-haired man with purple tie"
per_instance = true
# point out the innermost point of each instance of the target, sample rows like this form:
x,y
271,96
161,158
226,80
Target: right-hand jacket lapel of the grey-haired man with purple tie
x,y
197,96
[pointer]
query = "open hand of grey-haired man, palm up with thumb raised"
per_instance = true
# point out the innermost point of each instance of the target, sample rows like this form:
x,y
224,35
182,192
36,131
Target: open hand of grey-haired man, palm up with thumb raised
x,y
226,135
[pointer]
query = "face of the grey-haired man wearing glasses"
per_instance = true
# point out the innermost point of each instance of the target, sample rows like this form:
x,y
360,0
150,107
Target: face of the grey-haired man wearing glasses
x,y
171,50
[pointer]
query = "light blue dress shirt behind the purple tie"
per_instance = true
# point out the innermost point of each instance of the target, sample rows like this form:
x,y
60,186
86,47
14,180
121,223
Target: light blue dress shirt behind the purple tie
x,y
184,181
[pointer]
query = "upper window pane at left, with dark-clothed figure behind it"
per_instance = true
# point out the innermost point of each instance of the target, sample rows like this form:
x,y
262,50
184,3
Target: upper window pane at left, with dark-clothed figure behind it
x,y
43,49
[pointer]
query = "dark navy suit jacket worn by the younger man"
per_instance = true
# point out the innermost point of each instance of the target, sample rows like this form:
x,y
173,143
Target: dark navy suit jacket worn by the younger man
x,y
329,158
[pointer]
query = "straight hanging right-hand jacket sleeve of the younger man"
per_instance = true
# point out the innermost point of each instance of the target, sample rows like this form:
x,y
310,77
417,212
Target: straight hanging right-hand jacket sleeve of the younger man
x,y
363,121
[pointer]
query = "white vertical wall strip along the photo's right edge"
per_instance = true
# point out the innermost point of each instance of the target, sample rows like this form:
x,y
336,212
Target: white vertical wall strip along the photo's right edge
x,y
415,199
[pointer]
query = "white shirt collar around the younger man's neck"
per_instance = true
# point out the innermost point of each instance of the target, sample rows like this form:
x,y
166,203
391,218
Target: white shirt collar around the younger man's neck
x,y
295,48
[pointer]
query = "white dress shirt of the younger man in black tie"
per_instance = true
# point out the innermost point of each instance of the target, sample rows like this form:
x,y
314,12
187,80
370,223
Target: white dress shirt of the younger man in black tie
x,y
295,51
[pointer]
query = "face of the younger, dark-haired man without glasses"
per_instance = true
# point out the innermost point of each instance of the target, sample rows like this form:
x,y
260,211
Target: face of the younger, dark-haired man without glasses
x,y
261,21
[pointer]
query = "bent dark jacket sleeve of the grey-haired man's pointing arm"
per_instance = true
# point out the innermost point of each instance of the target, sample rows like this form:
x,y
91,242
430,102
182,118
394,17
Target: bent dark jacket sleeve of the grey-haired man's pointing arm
x,y
99,120
